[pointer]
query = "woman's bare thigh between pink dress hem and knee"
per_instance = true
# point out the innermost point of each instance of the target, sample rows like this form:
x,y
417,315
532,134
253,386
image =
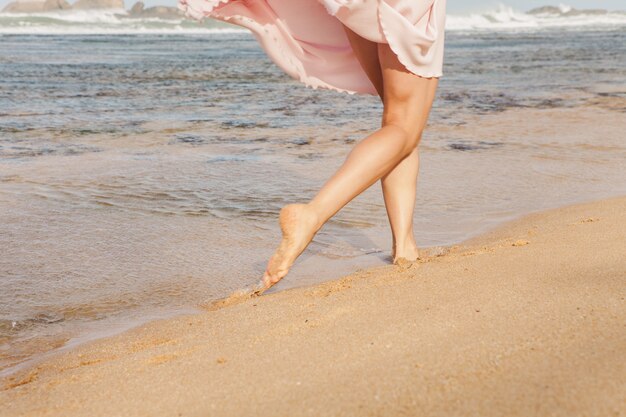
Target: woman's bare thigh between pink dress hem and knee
x,y
408,97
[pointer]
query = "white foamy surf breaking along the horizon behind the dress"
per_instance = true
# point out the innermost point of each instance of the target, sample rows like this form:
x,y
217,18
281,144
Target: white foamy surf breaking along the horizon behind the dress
x,y
118,21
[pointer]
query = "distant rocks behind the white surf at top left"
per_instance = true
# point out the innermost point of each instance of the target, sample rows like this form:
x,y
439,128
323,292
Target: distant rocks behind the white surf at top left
x,y
137,11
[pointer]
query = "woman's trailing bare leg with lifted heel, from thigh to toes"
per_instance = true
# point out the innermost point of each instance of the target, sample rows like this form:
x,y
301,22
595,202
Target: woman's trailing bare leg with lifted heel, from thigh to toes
x,y
407,100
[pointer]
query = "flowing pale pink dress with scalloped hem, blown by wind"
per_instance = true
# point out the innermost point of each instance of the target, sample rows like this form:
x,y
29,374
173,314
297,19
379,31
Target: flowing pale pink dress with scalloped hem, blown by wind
x,y
306,39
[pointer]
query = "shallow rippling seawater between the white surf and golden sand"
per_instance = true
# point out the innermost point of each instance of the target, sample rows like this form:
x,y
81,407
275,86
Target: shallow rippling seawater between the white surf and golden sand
x,y
141,175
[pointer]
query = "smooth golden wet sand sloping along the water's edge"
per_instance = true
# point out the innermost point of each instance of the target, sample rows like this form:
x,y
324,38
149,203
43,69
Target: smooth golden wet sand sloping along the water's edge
x,y
528,320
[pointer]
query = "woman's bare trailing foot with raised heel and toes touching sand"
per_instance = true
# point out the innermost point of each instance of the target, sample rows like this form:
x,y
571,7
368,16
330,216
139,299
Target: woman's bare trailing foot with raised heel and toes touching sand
x,y
299,224
